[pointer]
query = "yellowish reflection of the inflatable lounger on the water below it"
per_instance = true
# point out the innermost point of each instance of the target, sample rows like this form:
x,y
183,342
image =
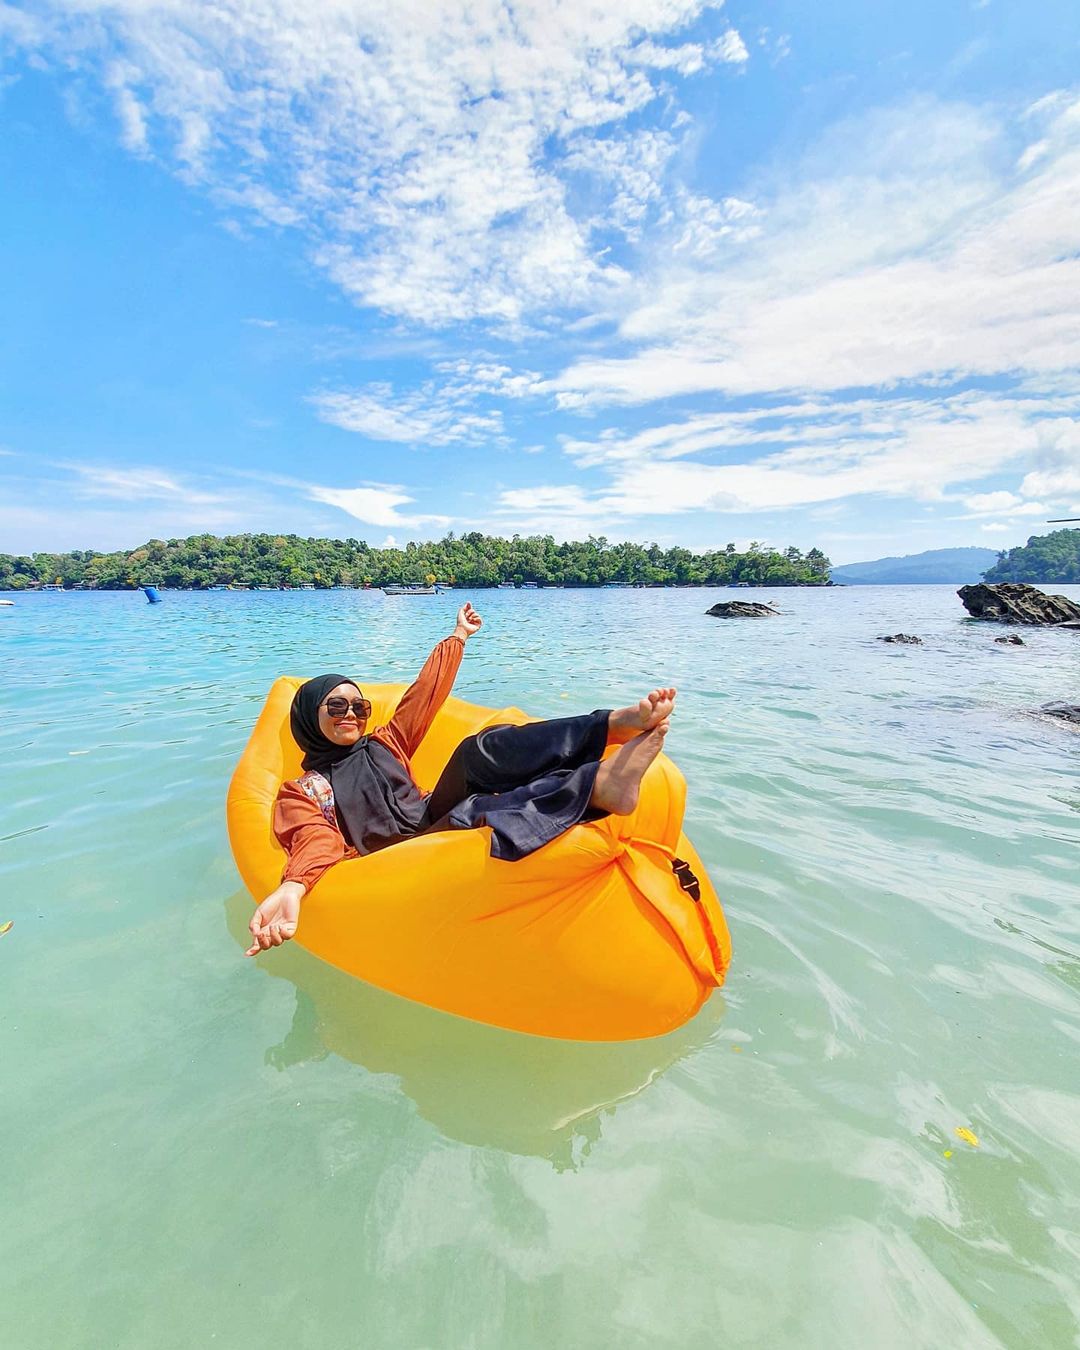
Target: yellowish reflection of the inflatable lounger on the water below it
x,y
476,1083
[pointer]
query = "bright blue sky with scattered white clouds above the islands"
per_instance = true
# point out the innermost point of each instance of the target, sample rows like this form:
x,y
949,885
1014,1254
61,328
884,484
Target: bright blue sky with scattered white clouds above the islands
x,y
657,271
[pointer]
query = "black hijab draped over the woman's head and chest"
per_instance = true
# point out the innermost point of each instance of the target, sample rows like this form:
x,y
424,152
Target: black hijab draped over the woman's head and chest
x,y
376,801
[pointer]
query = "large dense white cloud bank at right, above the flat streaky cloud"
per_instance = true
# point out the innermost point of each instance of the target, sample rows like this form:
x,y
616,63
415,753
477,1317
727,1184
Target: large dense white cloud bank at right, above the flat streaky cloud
x,y
908,249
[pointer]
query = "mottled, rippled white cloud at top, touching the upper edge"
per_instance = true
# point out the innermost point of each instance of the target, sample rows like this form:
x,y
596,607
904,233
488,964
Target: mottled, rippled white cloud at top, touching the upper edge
x,y
422,148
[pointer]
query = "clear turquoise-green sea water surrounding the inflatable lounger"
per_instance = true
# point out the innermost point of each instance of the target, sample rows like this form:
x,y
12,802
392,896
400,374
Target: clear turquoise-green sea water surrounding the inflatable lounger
x,y
198,1150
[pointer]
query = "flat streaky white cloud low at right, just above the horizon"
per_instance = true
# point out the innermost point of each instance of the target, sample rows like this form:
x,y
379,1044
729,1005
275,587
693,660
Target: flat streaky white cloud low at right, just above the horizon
x,y
817,453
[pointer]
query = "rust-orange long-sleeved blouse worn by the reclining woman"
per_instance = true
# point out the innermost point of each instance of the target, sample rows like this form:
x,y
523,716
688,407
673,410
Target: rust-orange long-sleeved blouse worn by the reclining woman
x,y
308,838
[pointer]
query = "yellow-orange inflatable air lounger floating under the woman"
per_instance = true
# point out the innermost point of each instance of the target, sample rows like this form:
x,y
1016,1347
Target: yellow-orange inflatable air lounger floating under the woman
x,y
591,939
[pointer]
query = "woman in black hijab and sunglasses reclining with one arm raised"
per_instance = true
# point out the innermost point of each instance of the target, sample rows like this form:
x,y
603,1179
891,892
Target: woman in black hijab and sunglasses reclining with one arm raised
x,y
529,784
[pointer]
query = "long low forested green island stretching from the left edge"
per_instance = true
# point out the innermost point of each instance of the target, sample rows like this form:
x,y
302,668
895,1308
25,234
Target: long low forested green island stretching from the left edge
x,y
472,560
